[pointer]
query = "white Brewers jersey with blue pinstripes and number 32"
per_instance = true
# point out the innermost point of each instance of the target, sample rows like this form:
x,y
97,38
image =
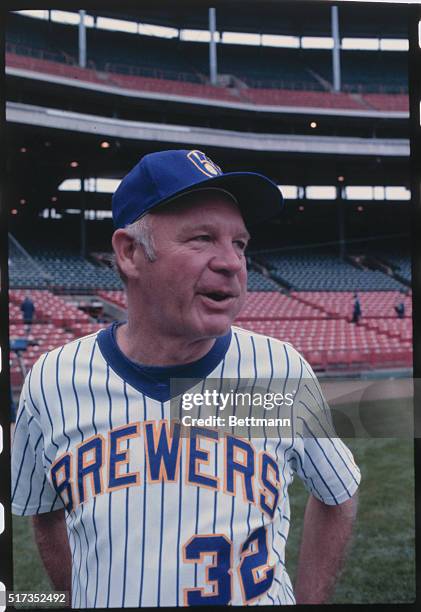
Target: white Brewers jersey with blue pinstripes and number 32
x,y
151,521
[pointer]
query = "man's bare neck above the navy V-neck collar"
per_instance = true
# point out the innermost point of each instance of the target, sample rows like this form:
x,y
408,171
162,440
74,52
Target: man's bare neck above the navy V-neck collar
x,y
141,347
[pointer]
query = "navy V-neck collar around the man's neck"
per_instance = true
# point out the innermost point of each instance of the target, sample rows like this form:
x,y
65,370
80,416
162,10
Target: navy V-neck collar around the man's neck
x,y
154,381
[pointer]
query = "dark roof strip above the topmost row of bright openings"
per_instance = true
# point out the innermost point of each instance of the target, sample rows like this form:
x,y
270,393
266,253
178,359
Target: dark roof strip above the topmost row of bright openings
x,y
356,19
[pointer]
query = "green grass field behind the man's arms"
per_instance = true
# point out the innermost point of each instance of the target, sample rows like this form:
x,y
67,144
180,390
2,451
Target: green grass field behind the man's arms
x,y
381,564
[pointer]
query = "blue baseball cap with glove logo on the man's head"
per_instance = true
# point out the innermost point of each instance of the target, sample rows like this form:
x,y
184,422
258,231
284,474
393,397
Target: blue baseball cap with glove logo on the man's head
x,y
159,178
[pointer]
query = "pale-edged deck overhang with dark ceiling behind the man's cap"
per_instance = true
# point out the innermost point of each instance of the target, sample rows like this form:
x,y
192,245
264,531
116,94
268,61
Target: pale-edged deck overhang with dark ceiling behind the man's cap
x,y
52,141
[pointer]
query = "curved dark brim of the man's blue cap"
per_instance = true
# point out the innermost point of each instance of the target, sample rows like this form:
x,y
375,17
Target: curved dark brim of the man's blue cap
x,y
258,197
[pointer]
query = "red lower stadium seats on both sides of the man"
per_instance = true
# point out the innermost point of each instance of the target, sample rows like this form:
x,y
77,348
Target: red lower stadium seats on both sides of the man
x,y
314,323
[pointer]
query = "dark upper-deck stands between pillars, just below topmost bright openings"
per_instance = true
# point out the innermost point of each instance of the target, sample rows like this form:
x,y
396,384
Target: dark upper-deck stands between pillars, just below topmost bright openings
x,y
248,66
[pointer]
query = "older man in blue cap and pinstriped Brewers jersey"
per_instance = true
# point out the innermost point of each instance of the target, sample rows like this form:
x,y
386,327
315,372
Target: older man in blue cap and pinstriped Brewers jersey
x,y
151,517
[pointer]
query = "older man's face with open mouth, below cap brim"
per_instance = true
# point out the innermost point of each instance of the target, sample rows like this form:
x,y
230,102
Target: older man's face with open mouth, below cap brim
x,y
198,283
